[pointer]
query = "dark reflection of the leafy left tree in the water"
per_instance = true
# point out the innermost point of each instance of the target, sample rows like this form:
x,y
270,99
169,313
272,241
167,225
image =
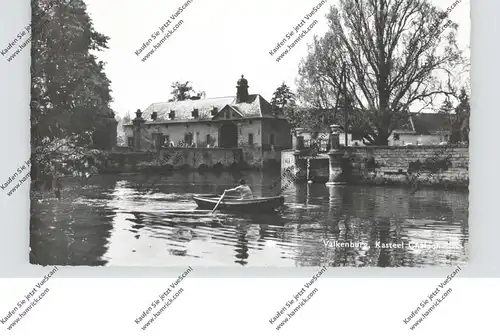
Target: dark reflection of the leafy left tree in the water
x,y
73,230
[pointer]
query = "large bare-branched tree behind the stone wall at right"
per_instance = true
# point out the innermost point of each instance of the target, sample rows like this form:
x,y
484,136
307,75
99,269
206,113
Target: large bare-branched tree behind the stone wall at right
x,y
398,55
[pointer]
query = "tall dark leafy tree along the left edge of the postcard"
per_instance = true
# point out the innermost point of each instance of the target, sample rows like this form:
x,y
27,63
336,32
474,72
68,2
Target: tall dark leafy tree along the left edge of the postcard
x,y
70,93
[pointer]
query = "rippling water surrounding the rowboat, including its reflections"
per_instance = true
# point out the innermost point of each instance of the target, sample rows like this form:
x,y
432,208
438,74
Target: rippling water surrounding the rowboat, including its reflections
x,y
122,220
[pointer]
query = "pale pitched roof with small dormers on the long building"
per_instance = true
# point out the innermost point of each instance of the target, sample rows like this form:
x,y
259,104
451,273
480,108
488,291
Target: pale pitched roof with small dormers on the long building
x,y
255,106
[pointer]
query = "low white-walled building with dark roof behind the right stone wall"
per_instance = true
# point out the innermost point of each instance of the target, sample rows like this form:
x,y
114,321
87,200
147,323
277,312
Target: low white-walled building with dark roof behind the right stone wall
x,y
422,129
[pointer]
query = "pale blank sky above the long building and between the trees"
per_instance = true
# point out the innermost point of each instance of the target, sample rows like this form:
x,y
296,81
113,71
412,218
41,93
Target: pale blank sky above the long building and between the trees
x,y
218,41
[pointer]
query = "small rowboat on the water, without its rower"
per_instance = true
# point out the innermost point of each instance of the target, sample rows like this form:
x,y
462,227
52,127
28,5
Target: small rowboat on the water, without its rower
x,y
234,203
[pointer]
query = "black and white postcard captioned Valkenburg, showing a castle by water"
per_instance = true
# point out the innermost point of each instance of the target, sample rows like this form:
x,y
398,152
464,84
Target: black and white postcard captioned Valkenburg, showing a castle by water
x,y
233,133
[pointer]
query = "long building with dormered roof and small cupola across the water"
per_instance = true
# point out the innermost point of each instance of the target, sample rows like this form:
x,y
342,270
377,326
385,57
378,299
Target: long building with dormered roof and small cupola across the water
x,y
244,120
